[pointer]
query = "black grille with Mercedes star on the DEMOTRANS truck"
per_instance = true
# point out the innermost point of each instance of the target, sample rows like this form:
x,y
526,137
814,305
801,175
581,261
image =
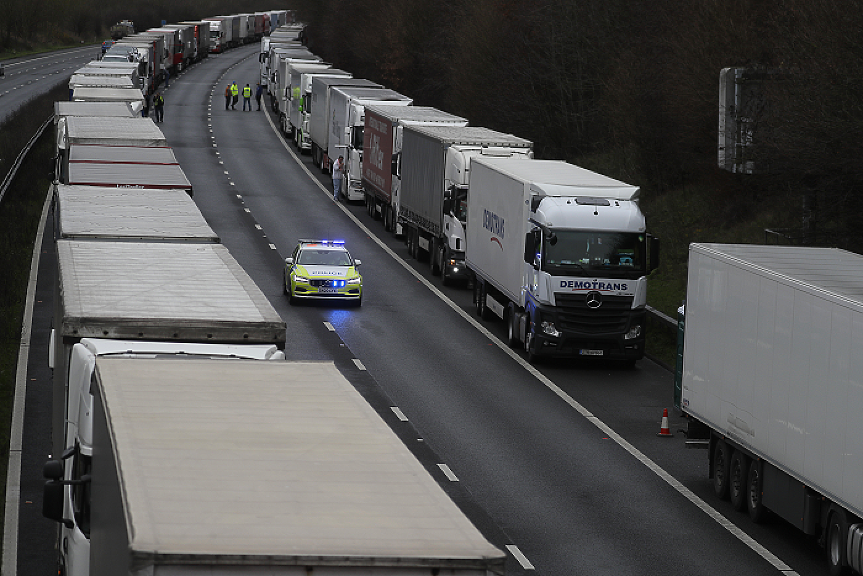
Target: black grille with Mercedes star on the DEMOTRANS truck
x,y
611,317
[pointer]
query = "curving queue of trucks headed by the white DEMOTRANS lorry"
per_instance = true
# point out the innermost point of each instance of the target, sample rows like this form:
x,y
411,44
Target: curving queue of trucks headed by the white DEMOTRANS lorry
x,y
569,274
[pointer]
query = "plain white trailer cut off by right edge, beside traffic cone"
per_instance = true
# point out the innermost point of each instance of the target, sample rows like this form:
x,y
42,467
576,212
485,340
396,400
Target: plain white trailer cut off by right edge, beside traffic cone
x,y
770,384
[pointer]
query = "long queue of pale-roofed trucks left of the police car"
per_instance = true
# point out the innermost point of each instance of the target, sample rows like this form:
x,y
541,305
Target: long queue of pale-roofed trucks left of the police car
x,y
168,359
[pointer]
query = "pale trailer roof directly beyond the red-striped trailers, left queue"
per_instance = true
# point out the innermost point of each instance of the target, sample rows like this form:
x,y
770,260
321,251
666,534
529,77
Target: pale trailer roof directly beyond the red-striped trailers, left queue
x,y
114,131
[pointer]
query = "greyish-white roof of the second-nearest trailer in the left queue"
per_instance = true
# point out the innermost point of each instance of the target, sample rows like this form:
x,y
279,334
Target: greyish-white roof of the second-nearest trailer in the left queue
x,y
161,291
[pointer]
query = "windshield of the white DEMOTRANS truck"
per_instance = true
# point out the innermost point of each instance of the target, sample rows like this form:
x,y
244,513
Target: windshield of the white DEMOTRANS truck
x,y
589,253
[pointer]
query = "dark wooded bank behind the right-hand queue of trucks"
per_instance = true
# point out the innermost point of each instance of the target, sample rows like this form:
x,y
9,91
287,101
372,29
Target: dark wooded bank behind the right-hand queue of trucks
x,y
634,86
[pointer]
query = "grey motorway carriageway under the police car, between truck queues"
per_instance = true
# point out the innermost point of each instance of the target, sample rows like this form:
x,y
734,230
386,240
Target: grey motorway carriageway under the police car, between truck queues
x,y
558,464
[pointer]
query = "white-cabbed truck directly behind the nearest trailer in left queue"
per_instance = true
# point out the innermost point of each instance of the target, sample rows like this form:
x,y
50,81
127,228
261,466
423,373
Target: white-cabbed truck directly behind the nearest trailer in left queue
x,y
167,297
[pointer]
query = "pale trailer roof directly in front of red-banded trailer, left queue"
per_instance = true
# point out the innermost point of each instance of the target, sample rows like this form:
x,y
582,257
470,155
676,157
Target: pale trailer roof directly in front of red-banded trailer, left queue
x,y
130,213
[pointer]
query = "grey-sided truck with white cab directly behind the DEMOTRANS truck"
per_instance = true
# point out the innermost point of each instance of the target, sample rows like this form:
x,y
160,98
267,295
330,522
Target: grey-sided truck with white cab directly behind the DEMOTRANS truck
x,y
435,167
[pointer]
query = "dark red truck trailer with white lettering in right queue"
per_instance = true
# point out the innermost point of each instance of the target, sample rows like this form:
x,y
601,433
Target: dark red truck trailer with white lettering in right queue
x,y
382,147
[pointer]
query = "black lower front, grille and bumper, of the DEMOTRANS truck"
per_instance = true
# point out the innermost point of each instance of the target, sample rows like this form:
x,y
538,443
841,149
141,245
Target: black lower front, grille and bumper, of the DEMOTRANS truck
x,y
576,331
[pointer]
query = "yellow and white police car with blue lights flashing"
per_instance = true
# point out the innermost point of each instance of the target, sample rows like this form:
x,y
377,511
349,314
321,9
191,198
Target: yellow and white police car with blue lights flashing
x,y
323,270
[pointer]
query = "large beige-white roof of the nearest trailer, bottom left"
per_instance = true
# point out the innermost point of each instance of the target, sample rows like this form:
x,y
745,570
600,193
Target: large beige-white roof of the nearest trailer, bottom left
x,y
277,463
